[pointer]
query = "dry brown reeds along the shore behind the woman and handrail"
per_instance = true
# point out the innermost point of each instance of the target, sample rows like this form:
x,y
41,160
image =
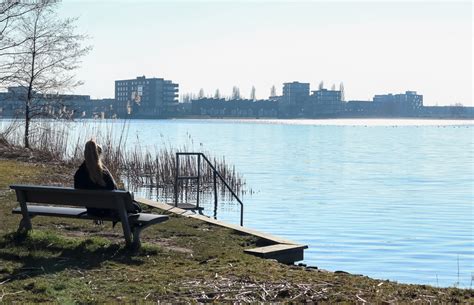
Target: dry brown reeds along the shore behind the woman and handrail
x,y
136,166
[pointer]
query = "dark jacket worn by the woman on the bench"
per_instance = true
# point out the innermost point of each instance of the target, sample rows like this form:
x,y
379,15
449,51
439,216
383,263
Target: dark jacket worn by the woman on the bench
x,y
82,180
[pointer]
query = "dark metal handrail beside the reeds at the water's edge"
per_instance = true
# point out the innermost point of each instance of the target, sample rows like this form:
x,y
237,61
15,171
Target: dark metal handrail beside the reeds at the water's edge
x,y
215,175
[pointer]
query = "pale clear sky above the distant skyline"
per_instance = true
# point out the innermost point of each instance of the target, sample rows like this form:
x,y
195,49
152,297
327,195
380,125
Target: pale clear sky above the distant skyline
x,y
371,47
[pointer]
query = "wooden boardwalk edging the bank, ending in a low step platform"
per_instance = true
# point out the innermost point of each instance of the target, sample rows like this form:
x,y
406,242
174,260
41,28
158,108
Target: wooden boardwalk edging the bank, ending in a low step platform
x,y
282,250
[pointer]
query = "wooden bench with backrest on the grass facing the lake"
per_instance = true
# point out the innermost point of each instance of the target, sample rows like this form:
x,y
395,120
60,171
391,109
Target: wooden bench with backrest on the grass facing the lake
x,y
120,201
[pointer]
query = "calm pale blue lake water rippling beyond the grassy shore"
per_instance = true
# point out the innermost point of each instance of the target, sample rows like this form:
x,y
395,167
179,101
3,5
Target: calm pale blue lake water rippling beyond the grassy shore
x,y
391,199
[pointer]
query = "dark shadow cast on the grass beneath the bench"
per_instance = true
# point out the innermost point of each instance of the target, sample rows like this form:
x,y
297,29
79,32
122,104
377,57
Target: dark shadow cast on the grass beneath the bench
x,y
40,253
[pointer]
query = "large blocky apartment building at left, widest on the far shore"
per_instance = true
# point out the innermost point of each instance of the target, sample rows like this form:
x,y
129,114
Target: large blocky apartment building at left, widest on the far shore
x,y
146,97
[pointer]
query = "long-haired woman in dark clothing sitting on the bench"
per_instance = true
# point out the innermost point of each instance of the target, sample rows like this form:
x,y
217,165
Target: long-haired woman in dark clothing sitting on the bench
x,y
93,175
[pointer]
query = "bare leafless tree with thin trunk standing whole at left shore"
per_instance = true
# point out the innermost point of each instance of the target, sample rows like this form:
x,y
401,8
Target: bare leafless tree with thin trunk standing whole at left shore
x,y
43,65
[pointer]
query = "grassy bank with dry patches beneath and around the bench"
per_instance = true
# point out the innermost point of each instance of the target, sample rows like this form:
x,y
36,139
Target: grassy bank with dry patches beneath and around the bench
x,y
66,261
